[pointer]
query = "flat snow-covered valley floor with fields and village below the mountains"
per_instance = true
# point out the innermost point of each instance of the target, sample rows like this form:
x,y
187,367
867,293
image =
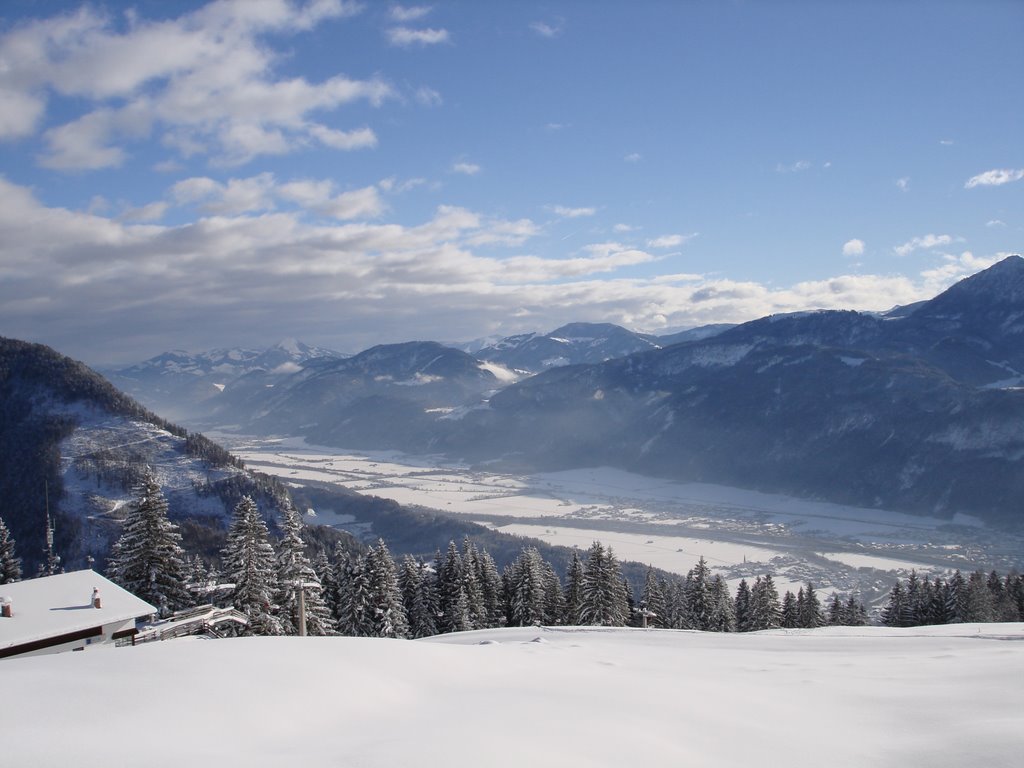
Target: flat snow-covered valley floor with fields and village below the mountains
x,y
742,534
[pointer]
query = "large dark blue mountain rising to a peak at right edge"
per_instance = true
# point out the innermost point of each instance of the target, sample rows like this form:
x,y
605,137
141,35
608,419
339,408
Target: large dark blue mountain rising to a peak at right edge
x,y
922,412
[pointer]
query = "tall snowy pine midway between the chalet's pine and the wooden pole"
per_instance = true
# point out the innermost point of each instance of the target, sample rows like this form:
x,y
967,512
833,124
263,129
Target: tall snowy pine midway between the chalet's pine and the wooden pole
x,y
249,565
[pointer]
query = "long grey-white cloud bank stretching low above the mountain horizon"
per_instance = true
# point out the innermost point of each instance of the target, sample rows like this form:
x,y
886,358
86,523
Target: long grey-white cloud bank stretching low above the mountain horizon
x,y
135,290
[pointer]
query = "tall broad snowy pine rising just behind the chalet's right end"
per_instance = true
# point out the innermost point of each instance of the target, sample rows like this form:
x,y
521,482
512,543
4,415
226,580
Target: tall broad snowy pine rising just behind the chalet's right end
x,y
148,560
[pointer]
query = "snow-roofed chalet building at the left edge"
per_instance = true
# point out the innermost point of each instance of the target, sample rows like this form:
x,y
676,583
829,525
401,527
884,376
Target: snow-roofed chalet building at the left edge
x,y
67,612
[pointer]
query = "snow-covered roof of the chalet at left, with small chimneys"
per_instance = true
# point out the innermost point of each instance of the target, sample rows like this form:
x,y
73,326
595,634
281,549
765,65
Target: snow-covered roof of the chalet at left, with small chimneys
x,y
61,605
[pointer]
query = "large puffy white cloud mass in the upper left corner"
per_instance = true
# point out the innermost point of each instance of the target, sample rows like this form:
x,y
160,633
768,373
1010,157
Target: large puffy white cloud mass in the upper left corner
x,y
205,81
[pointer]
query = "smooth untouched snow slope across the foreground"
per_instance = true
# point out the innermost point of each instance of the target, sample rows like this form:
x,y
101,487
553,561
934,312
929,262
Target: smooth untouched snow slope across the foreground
x,y
858,697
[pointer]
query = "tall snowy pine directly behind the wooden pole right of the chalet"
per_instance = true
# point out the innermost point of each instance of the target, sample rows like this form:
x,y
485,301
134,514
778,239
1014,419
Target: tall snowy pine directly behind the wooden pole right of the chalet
x,y
295,573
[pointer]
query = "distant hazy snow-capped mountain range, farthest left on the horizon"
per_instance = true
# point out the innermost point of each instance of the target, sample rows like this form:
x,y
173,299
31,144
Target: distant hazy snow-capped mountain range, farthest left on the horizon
x,y
185,386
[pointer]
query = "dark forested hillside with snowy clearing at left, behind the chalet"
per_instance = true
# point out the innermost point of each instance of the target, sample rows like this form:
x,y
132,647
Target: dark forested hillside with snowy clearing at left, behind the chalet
x,y
70,441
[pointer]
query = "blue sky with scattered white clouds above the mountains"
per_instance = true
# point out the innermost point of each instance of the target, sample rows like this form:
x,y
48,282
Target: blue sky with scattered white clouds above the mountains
x,y
192,176
